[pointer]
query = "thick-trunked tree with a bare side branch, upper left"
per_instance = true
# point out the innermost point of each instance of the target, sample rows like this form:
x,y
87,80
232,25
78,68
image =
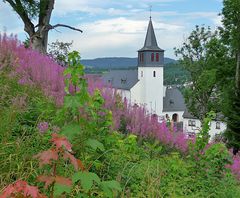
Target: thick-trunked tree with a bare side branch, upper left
x,y
30,10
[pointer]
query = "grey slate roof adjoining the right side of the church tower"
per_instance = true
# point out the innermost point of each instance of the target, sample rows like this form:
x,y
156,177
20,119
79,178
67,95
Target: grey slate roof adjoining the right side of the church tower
x,y
173,100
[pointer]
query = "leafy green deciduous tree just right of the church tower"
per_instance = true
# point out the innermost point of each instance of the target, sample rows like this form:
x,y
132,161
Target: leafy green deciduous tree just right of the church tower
x,y
202,55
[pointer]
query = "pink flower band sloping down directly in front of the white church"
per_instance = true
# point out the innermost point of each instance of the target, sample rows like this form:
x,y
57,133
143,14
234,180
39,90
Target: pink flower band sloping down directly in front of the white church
x,y
136,119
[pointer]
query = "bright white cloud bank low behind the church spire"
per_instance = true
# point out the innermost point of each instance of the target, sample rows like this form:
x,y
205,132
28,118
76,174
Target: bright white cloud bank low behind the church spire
x,y
118,37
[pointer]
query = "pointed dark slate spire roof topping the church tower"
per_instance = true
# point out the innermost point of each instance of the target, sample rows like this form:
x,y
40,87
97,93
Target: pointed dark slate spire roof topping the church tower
x,y
150,40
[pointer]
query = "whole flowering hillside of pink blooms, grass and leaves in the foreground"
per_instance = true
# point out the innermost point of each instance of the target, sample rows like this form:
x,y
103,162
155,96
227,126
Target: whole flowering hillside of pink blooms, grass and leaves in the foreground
x,y
66,138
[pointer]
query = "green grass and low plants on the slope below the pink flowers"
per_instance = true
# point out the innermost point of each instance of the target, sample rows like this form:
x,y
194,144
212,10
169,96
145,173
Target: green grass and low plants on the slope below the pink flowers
x,y
144,169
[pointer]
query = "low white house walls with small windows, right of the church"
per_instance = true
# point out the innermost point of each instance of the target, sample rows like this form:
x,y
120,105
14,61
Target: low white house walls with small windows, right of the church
x,y
194,126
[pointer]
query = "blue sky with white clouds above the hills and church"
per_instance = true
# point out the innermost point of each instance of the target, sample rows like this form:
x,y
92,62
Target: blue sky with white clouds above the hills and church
x,y
117,28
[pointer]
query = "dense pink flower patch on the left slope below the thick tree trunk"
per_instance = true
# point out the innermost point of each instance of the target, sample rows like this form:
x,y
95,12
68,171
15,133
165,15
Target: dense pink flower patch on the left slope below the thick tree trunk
x,y
32,67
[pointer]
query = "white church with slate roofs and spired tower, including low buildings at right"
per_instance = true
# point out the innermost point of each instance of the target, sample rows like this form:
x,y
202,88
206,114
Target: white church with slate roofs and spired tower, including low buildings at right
x,y
144,86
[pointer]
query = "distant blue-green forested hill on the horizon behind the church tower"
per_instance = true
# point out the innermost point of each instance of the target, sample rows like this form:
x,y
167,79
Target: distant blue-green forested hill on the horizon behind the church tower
x,y
115,62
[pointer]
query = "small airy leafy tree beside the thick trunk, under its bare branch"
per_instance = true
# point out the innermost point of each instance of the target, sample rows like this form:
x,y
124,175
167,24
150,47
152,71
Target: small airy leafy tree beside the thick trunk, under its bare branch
x,y
59,51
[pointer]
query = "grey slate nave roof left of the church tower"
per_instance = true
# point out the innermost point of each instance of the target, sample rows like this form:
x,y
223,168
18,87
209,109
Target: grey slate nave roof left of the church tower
x,y
121,79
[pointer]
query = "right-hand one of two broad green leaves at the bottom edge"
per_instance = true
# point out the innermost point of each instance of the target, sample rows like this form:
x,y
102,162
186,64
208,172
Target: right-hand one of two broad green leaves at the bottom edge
x,y
109,186
